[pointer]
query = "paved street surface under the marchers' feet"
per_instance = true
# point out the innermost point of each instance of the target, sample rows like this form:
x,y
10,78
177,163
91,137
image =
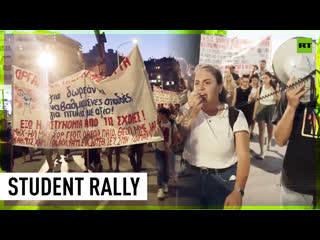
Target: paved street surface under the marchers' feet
x,y
262,187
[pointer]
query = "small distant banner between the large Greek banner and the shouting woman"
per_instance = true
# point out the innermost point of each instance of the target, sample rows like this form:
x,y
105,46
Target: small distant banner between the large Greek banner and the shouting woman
x,y
164,98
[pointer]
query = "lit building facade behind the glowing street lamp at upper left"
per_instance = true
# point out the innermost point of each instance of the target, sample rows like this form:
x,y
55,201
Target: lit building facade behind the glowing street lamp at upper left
x,y
23,50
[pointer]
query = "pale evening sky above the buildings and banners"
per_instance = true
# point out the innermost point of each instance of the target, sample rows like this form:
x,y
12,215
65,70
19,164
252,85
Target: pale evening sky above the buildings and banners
x,y
166,45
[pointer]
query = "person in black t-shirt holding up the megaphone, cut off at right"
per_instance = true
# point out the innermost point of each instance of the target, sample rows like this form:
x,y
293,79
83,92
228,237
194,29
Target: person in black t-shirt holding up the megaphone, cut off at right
x,y
296,124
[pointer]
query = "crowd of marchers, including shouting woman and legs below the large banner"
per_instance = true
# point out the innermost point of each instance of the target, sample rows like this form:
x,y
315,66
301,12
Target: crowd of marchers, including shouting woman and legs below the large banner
x,y
197,133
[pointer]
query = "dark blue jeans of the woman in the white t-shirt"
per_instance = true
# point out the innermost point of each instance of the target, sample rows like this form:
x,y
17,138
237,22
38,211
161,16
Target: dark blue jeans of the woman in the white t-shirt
x,y
205,189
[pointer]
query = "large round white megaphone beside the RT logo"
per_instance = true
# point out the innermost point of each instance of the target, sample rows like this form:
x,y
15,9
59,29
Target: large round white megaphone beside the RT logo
x,y
287,62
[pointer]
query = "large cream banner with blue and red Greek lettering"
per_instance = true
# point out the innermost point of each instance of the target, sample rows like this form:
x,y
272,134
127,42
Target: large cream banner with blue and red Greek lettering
x,y
85,110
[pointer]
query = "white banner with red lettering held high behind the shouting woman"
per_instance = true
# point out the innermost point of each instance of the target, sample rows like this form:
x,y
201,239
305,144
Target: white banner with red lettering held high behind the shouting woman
x,y
222,52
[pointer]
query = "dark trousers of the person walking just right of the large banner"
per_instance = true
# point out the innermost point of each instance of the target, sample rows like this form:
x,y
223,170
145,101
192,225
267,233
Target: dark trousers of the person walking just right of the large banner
x,y
163,168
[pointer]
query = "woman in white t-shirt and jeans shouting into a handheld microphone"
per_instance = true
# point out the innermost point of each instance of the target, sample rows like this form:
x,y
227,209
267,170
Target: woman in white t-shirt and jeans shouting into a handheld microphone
x,y
216,147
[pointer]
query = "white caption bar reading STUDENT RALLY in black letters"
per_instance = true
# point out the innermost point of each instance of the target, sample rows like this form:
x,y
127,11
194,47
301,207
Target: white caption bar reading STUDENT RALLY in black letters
x,y
73,186
